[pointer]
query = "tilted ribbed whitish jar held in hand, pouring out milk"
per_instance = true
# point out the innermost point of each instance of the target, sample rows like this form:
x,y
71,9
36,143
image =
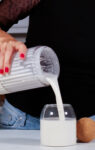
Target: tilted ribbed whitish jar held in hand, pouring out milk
x,y
30,73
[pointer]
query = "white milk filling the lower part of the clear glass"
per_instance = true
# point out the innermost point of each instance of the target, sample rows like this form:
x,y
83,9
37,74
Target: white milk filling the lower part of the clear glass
x,y
58,132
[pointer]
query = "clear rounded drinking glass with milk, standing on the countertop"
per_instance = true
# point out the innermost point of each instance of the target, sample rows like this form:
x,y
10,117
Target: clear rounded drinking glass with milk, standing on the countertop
x,y
56,132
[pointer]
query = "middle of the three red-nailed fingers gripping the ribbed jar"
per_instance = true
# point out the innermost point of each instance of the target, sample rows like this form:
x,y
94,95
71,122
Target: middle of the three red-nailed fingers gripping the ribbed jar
x,y
8,58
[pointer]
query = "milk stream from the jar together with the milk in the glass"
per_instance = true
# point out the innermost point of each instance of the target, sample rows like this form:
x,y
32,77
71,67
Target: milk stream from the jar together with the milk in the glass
x,y
57,131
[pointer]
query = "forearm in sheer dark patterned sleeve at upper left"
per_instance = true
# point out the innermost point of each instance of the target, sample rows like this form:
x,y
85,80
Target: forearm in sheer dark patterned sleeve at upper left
x,y
11,11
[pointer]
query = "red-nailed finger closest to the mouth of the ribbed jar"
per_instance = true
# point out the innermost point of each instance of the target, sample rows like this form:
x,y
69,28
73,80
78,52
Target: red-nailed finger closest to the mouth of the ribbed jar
x,y
21,48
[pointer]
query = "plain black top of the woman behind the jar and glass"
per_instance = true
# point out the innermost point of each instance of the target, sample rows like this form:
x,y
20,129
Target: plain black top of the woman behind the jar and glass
x,y
69,28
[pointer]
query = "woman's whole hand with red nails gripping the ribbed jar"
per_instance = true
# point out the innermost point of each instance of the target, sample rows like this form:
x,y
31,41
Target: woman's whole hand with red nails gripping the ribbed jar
x,y
8,46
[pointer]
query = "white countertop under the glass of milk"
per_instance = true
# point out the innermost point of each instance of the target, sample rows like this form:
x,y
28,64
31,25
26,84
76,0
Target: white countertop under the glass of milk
x,y
30,140
